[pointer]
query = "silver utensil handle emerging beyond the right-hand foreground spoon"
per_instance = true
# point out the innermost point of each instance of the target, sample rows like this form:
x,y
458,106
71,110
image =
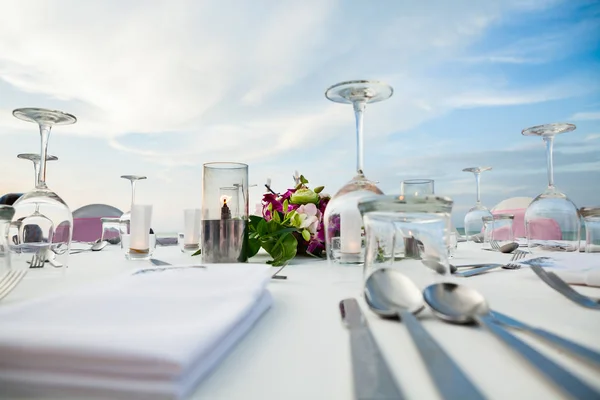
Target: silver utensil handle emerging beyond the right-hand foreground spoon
x,y
584,353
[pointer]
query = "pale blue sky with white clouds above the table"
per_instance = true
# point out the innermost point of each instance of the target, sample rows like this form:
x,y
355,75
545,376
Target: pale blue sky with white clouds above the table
x,y
161,87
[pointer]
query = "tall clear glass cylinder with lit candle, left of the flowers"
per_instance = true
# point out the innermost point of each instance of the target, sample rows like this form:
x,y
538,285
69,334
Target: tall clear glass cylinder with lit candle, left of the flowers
x,y
224,236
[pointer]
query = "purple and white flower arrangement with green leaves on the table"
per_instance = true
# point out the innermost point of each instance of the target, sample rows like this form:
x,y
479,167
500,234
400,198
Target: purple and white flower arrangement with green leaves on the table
x,y
291,223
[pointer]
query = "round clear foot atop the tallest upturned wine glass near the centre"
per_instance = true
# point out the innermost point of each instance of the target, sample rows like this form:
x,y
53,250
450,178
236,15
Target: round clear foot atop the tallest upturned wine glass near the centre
x,y
360,90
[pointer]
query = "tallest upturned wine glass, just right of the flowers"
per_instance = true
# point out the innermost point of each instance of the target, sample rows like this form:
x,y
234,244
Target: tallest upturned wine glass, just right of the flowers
x,y
343,224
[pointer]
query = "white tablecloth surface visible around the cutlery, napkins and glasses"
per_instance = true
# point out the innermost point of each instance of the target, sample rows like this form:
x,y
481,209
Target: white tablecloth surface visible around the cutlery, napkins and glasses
x,y
300,350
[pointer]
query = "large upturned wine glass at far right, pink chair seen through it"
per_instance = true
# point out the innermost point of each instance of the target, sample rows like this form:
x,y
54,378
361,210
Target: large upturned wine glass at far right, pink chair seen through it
x,y
552,221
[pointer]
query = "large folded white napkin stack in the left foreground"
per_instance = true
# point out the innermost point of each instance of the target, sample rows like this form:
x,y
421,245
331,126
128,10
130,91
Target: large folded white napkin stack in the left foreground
x,y
153,334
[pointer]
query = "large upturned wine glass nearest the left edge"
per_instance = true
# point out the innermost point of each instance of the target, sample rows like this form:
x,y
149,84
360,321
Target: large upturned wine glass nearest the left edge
x,y
42,221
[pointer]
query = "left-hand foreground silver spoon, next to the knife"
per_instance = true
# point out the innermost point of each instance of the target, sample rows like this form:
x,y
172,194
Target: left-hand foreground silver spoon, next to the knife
x,y
390,294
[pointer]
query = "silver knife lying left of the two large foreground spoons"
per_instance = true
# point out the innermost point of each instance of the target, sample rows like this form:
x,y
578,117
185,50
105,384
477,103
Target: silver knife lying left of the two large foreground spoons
x,y
372,376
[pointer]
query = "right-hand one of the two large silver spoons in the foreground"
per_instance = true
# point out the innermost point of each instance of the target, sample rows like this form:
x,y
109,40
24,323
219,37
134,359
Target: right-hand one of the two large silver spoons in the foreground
x,y
463,305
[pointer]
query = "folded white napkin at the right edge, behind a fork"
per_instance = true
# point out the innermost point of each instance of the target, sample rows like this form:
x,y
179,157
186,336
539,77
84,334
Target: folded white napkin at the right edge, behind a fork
x,y
573,267
